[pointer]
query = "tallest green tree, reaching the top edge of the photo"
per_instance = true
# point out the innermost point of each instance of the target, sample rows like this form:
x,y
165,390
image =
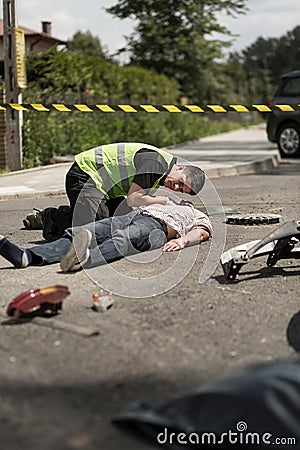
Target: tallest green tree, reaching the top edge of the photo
x,y
174,37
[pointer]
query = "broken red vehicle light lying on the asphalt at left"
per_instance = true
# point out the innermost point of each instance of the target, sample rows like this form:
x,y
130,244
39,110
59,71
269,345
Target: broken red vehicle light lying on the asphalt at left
x,y
39,301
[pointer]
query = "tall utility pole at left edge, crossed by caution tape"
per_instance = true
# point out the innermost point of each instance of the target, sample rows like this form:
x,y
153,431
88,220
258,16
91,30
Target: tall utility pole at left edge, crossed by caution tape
x,y
13,95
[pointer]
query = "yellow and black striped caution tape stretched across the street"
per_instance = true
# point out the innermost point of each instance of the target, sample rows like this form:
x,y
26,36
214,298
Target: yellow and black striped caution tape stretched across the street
x,y
110,108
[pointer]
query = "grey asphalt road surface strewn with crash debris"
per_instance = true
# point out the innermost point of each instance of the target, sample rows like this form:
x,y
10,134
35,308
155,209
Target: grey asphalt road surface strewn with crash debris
x,y
61,390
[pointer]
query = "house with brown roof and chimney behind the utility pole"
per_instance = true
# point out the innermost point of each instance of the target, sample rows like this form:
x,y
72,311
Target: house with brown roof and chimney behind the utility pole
x,y
37,41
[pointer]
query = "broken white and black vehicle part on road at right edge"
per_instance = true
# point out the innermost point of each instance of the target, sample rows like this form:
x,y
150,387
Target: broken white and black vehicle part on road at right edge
x,y
277,245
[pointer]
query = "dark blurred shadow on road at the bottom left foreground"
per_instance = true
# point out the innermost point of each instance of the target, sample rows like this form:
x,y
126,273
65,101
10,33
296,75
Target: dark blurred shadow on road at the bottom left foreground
x,y
76,416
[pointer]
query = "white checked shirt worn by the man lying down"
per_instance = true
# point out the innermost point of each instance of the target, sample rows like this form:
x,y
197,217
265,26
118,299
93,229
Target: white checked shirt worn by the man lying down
x,y
181,218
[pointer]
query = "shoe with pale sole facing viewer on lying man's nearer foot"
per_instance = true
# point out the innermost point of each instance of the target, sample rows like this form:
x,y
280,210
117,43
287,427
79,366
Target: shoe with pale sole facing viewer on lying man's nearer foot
x,y
79,252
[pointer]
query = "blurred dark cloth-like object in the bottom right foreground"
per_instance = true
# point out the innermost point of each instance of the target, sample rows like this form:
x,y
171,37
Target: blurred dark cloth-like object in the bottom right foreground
x,y
252,409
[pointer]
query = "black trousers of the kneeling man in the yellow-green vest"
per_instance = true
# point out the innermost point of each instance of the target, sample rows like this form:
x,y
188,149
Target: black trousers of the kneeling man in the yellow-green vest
x,y
87,203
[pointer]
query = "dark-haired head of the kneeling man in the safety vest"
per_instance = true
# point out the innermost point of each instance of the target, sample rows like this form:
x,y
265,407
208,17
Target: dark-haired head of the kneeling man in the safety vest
x,y
187,179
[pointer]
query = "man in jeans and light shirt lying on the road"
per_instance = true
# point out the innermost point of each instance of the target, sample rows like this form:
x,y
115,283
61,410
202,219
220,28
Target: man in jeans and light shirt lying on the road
x,y
171,227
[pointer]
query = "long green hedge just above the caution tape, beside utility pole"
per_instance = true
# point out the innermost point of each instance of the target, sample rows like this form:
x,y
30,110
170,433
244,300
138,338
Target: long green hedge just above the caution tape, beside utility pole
x,y
77,77
